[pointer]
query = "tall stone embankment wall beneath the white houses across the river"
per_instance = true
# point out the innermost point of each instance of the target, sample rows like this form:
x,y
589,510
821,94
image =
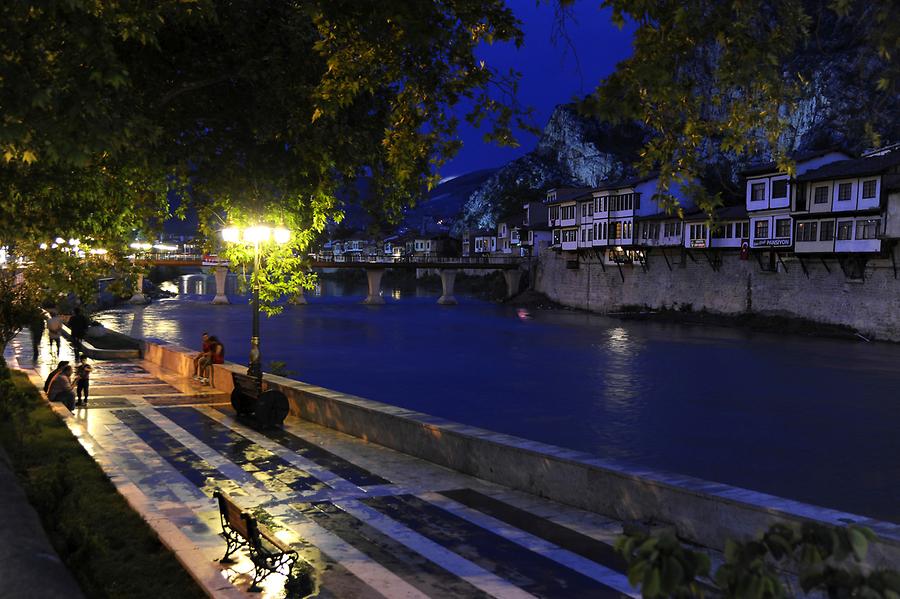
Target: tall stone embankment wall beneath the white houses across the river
x,y
722,283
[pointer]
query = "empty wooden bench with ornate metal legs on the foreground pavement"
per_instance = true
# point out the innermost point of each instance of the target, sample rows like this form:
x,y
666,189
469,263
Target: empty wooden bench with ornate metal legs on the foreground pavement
x,y
241,529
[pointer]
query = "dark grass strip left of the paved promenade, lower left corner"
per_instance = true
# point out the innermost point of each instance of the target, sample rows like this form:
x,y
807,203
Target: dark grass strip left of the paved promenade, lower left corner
x,y
109,549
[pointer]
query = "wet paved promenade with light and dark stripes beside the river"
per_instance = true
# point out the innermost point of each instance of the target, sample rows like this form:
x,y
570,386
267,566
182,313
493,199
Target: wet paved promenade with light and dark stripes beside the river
x,y
373,522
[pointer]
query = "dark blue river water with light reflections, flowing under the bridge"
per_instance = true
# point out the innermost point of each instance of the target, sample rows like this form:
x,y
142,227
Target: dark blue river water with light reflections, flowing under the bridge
x,y
806,418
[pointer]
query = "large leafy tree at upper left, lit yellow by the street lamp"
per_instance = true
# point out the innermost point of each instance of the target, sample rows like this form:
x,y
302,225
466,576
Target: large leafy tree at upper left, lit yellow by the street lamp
x,y
253,112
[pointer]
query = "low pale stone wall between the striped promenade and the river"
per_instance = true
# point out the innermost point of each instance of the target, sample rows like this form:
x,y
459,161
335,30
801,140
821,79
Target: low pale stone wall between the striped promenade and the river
x,y
702,512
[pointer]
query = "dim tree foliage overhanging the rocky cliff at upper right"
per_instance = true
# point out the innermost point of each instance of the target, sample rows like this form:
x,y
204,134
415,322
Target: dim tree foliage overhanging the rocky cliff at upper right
x,y
718,79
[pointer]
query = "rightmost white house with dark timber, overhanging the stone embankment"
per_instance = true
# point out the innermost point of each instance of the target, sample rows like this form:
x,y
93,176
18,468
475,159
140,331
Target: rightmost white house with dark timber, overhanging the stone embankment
x,y
848,207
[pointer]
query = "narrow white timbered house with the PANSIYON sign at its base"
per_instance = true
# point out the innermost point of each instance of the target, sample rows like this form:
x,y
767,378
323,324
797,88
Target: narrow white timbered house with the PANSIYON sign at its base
x,y
770,194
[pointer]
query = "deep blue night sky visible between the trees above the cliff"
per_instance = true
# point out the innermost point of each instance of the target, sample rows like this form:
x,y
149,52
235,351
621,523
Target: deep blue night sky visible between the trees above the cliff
x,y
550,72
